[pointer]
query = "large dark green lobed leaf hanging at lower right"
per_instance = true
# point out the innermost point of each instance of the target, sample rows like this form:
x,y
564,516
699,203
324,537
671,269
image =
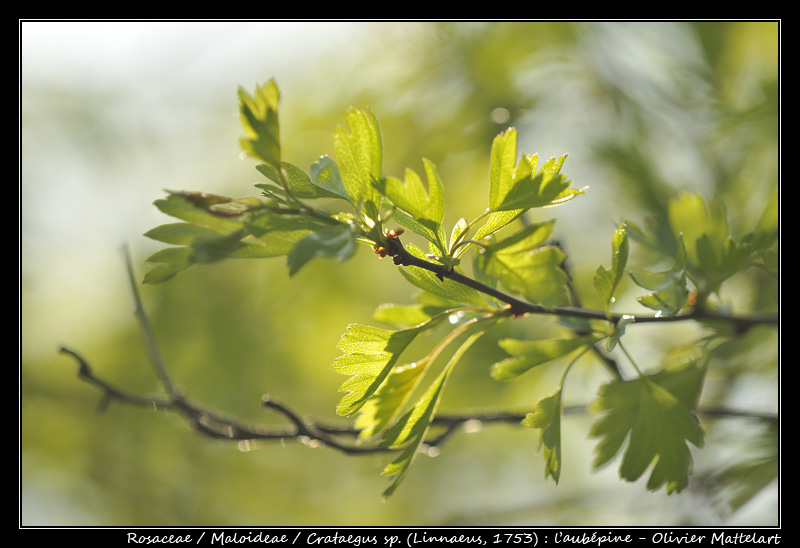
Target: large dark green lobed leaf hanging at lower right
x,y
658,426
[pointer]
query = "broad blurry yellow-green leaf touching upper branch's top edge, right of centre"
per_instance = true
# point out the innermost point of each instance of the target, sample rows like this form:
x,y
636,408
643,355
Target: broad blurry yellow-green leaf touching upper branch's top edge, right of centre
x,y
526,267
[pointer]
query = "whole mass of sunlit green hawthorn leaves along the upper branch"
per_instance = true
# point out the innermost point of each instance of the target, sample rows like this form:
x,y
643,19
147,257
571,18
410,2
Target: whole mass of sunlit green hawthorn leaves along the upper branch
x,y
393,397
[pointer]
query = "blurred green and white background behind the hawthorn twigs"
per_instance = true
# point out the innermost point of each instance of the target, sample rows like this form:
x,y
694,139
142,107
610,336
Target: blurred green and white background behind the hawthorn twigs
x,y
114,113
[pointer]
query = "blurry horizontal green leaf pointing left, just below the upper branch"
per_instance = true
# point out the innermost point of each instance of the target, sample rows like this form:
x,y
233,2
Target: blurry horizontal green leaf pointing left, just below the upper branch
x,y
529,354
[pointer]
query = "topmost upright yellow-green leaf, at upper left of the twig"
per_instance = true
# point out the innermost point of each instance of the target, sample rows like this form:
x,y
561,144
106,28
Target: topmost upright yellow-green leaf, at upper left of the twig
x,y
259,116
